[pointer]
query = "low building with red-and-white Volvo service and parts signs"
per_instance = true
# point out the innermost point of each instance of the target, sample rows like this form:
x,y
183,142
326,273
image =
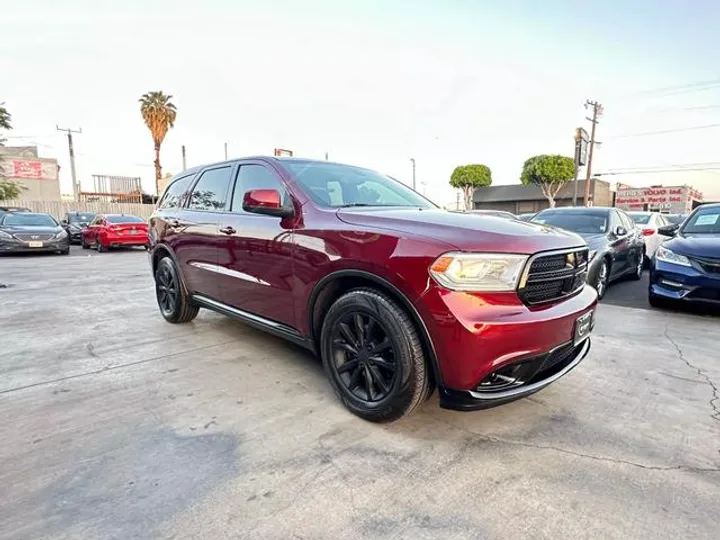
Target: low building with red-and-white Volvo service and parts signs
x,y
671,200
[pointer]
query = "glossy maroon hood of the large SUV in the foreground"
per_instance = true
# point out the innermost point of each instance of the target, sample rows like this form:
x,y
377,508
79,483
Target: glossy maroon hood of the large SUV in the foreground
x,y
466,232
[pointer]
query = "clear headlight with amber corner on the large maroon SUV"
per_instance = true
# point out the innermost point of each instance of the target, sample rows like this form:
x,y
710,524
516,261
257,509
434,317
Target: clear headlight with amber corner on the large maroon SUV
x,y
479,272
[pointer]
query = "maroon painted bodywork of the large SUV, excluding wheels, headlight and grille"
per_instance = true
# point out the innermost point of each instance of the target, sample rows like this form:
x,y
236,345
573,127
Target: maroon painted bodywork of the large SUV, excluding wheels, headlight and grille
x,y
273,266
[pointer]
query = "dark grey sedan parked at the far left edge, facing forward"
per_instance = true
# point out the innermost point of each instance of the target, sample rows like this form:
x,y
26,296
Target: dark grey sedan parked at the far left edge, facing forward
x,y
28,231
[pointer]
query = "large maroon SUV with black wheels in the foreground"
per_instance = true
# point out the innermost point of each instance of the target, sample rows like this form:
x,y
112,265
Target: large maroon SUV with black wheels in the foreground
x,y
395,295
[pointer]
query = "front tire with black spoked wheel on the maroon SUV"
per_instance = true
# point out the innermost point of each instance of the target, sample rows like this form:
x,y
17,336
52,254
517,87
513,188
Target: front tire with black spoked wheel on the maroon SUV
x,y
388,377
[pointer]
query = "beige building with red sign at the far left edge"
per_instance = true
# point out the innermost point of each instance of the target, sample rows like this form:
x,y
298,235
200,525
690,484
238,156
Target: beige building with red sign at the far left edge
x,y
39,175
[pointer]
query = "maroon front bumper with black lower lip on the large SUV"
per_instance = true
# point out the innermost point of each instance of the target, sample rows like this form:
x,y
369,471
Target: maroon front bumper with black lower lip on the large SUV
x,y
478,335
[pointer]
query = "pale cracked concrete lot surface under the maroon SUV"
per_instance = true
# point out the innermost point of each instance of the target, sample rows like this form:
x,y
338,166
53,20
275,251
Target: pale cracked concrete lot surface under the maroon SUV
x,y
117,424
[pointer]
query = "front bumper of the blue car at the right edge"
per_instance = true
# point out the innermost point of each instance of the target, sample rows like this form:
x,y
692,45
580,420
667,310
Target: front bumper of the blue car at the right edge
x,y
683,283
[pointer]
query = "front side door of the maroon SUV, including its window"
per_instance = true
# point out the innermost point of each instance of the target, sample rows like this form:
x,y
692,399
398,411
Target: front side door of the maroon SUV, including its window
x,y
255,257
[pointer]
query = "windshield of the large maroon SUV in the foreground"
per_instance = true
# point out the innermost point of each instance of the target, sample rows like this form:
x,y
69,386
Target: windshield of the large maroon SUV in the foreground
x,y
334,185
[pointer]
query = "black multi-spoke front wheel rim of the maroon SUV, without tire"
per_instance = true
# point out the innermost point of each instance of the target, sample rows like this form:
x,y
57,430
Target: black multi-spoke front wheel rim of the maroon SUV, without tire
x,y
363,357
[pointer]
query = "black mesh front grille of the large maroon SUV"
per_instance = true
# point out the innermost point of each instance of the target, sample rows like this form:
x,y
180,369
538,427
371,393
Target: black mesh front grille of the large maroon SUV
x,y
554,275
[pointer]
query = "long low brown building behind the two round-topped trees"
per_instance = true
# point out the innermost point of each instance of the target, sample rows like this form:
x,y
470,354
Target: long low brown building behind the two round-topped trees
x,y
522,199
